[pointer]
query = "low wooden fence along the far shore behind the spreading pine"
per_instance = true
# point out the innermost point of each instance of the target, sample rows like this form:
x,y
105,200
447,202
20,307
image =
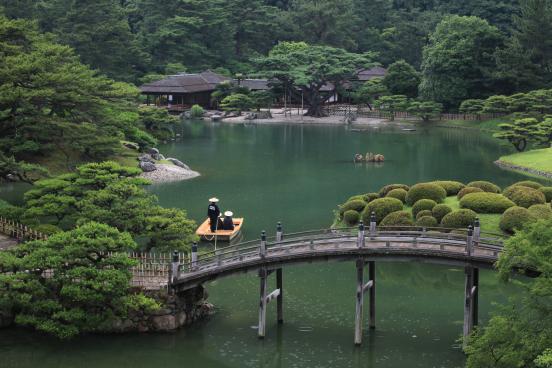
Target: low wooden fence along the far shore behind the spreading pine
x,y
365,111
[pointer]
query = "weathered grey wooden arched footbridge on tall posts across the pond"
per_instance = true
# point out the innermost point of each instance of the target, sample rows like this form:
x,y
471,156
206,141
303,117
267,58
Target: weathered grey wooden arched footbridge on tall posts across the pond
x,y
470,248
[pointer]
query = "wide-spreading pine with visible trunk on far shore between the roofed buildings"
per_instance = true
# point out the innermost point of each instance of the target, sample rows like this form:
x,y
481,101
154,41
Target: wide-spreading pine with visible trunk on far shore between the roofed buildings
x,y
286,63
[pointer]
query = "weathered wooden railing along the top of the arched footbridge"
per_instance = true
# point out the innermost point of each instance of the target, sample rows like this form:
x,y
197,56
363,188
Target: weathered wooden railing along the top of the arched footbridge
x,y
242,251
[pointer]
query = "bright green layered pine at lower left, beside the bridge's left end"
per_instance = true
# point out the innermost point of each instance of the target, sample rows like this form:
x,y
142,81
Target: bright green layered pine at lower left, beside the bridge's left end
x,y
84,289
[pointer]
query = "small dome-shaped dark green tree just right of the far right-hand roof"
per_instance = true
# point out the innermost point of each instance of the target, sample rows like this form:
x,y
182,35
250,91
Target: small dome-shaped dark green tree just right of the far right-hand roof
x,y
402,79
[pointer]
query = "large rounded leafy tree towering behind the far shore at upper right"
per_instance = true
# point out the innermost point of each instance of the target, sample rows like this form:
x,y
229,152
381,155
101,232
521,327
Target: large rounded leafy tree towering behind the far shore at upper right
x,y
454,70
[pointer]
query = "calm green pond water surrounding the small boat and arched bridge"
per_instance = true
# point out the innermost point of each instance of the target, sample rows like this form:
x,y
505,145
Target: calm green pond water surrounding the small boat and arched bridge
x,y
297,175
